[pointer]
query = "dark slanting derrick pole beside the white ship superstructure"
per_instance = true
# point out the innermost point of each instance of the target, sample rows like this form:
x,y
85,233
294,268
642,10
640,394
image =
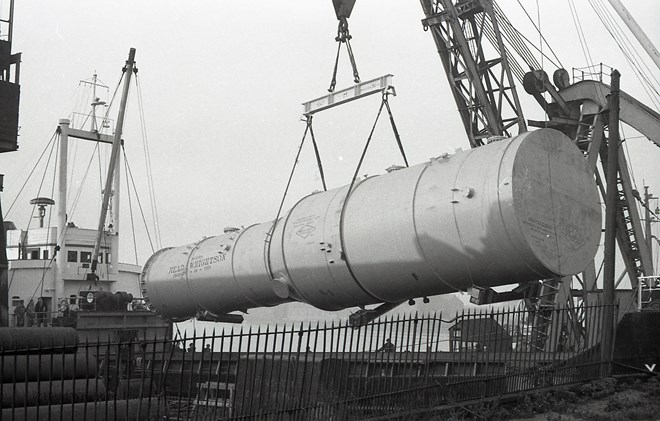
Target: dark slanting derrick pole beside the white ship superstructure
x,y
112,177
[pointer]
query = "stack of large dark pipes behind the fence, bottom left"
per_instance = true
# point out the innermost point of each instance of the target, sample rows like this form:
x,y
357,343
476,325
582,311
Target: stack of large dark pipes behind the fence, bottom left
x,y
45,374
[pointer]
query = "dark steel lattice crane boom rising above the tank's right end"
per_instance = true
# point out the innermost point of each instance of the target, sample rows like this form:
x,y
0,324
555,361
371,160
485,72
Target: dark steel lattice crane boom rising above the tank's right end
x,y
482,85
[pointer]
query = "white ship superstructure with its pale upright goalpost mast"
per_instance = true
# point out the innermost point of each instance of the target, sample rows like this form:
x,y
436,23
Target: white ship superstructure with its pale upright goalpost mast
x,y
51,265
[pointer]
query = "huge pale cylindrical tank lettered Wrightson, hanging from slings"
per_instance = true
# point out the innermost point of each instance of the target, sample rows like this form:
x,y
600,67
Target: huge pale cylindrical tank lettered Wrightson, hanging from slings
x,y
512,211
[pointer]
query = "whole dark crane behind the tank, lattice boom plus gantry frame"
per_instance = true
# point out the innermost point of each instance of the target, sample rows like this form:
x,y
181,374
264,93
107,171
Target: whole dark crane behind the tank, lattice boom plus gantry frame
x,y
483,86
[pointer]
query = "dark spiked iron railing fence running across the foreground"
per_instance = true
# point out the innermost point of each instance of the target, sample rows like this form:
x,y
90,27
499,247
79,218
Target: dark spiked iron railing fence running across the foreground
x,y
306,371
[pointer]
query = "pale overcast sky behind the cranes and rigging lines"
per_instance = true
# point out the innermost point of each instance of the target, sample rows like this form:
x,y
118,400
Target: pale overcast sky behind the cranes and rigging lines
x,y
222,83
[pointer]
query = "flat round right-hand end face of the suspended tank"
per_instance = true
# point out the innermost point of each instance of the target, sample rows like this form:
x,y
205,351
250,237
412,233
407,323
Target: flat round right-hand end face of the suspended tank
x,y
556,202
